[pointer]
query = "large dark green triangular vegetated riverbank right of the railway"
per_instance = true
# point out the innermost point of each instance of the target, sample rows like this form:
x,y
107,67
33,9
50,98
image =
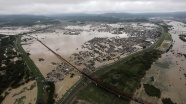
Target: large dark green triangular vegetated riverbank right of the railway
x,y
127,75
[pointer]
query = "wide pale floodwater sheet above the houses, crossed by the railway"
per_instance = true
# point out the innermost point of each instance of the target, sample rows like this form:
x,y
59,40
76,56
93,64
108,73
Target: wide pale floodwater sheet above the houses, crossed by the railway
x,y
64,45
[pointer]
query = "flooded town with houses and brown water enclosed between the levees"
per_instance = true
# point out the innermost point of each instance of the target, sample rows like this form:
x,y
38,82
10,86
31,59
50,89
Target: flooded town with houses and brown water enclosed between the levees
x,y
92,47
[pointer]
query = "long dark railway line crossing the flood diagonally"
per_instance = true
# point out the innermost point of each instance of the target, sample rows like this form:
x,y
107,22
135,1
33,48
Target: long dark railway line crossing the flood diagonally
x,y
109,88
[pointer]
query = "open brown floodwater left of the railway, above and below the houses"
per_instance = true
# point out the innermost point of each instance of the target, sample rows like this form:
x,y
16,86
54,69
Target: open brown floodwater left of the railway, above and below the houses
x,y
37,50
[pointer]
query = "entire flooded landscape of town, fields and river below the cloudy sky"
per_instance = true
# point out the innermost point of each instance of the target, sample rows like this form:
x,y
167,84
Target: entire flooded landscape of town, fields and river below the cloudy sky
x,y
113,58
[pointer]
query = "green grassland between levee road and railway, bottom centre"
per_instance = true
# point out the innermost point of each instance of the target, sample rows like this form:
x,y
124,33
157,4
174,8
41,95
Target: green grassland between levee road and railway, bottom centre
x,y
95,95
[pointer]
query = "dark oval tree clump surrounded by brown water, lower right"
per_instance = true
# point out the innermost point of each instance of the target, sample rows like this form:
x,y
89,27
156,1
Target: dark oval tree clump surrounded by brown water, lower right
x,y
151,90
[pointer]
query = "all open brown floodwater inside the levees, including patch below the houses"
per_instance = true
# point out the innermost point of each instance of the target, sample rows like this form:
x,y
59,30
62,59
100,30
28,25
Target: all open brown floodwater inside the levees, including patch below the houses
x,y
64,45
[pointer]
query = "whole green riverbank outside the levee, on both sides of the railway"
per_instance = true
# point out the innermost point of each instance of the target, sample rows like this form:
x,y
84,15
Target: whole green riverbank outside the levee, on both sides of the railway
x,y
122,76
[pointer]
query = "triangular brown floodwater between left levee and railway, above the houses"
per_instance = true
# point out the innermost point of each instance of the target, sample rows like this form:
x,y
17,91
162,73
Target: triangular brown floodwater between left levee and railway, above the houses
x,y
37,50
